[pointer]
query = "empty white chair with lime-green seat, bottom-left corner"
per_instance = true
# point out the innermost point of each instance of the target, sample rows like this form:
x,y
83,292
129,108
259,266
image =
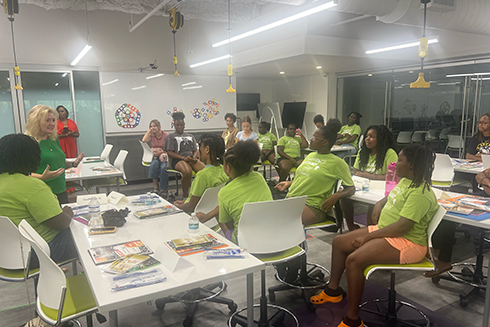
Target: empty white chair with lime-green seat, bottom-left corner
x,y
59,299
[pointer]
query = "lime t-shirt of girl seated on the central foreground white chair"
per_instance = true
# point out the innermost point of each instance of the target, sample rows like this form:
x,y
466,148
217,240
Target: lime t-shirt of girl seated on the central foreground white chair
x,y
248,188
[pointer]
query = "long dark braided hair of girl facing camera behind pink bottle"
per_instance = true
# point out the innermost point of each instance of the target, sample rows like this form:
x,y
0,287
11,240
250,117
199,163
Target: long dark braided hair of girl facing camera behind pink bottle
x,y
386,141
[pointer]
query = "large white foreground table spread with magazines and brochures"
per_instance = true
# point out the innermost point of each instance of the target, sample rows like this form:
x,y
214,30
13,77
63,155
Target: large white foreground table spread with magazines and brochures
x,y
154,232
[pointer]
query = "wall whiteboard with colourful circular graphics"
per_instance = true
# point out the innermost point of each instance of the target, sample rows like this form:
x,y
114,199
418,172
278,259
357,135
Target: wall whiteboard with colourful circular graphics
x,y
131,101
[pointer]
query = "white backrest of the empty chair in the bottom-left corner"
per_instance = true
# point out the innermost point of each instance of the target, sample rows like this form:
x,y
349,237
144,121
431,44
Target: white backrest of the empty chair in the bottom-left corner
x,y
52,280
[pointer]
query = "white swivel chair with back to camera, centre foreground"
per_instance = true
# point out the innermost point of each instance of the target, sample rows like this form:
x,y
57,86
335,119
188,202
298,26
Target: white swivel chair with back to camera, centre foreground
x,y
272,231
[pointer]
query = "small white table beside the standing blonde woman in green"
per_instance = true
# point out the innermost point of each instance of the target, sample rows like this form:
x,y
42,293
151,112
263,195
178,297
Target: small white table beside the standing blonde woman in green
x,y
84,172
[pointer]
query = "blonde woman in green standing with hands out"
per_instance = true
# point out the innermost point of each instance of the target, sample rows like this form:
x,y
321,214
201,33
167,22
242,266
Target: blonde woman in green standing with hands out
x,y
41,125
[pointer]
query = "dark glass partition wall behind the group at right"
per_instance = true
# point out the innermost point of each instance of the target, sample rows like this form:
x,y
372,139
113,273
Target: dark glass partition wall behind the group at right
x,y
457,97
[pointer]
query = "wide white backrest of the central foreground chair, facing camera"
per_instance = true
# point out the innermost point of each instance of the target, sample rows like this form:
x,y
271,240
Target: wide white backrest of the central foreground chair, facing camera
x,y
271,226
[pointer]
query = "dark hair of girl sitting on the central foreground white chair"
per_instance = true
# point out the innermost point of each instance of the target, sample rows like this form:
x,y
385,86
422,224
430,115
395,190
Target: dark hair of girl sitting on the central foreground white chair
x,y
242,156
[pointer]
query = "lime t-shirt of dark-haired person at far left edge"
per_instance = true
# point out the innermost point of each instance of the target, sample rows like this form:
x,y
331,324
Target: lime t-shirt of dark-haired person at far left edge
x,y
28,198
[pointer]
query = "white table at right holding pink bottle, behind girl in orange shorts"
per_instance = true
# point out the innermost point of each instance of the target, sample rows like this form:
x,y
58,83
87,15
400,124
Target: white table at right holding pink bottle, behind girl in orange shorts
x,y
376,193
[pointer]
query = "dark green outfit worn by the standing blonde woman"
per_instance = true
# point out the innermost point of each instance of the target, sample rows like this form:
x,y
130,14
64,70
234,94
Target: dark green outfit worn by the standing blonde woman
x,y
52,155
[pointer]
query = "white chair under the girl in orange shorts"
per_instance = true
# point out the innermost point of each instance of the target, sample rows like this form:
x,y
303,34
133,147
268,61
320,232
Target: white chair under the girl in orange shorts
x,y
393,305
